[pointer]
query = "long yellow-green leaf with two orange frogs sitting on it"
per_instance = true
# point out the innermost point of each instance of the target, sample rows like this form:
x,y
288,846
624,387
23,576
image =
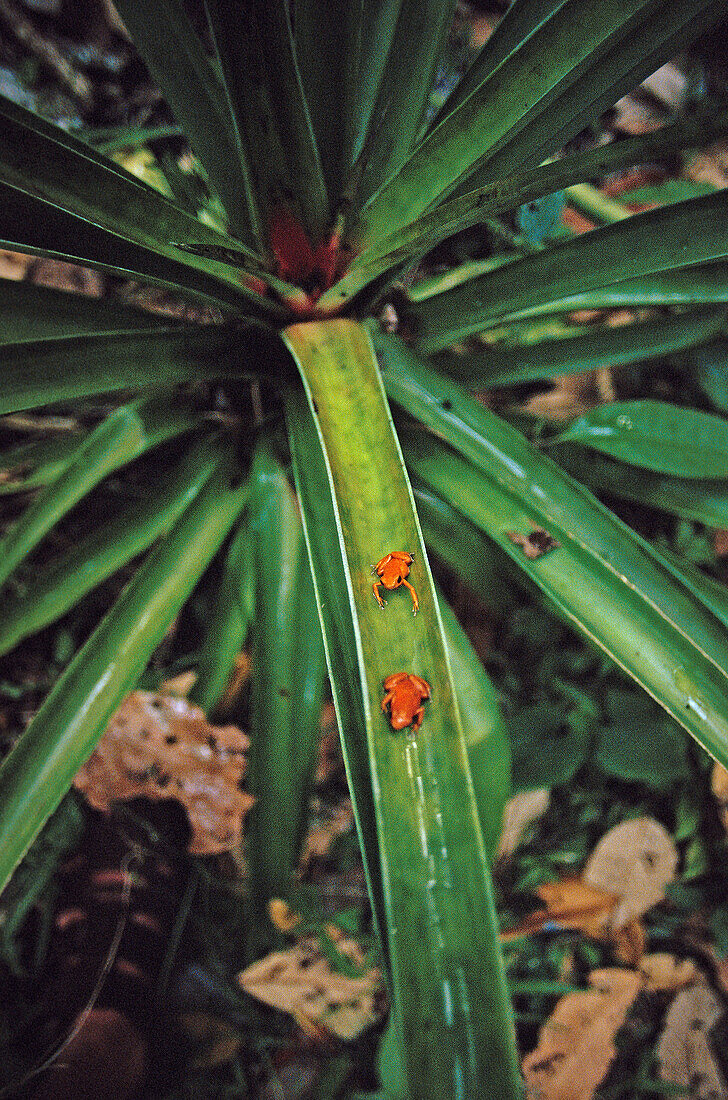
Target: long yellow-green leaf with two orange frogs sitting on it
x,y
435,870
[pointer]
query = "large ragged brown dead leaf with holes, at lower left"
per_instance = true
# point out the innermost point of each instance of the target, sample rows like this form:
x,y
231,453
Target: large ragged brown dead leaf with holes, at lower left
x,y
163,747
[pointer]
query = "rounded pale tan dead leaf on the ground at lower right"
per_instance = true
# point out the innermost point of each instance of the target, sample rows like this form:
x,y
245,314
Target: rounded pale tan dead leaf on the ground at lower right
x,y
635,861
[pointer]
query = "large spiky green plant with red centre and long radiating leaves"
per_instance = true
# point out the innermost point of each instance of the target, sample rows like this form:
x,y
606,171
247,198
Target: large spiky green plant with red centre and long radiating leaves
x,y
312,123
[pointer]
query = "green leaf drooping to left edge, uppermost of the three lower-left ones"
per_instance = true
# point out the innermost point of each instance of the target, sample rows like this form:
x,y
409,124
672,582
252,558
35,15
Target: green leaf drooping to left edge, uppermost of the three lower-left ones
x,y
127,434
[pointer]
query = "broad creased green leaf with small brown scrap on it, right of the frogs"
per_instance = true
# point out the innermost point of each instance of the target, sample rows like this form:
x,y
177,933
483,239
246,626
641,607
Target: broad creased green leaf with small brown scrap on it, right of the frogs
x,y
613,587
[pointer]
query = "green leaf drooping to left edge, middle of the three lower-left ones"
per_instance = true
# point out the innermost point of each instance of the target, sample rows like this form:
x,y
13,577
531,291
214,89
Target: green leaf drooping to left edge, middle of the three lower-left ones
x,y
41,598
